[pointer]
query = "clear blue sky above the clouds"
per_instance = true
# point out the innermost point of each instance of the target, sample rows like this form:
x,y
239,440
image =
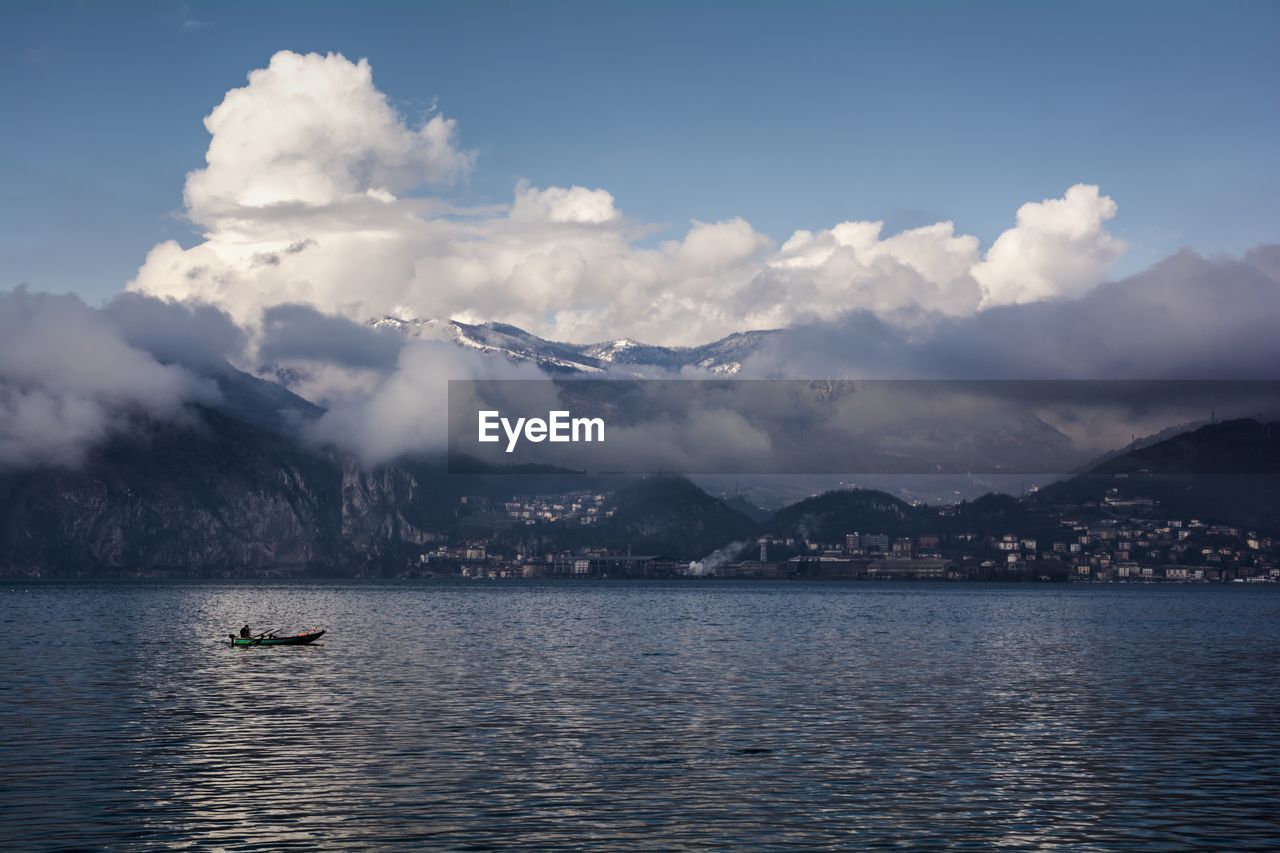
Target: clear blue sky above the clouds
x,y
792,116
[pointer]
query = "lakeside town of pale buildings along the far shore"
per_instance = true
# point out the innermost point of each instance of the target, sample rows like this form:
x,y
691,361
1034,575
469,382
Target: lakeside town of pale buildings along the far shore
x,y
1121,541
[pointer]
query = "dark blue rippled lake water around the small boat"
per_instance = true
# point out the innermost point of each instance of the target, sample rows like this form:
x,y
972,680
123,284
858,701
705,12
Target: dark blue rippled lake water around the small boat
x,y
660,715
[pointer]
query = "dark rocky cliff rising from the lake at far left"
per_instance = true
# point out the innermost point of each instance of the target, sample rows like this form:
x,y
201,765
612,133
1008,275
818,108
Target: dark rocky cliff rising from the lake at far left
x,y
213,495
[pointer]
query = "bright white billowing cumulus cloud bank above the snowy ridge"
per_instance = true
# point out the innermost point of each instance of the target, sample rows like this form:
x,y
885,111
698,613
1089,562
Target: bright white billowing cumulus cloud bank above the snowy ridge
x,y
304,202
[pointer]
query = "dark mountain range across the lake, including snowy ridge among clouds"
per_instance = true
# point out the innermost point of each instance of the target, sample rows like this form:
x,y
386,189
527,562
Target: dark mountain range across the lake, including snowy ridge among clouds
x,y
232,489
